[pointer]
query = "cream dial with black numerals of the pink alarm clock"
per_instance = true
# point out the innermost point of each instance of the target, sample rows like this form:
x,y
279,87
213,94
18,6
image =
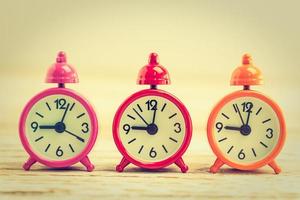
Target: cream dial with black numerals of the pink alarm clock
x,y
58,127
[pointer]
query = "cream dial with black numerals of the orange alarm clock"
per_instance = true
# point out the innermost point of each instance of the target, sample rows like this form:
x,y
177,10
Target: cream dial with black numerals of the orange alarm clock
x,y
246,130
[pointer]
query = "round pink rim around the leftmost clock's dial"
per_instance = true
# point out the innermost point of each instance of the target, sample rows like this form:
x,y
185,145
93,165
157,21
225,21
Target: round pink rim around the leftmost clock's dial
x,y
85,104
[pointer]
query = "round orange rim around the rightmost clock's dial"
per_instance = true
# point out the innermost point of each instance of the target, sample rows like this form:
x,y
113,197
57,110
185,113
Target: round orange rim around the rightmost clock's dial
x,y
221,104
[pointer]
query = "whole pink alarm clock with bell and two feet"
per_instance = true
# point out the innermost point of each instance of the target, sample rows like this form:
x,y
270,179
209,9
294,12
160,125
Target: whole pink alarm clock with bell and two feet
x,y
58,127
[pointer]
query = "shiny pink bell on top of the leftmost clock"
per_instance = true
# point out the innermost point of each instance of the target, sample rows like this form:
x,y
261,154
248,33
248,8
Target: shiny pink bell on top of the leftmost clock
x,y
61,71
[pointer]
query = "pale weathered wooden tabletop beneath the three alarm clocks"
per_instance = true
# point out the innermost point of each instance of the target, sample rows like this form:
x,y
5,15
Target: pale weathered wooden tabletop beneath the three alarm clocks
x,y
104,182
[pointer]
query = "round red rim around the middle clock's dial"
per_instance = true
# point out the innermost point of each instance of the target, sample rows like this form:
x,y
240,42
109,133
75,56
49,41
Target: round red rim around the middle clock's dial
x,y
188,127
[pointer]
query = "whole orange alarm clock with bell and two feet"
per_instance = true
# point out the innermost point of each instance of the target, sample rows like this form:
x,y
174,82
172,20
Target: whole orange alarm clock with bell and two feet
x,y
246,129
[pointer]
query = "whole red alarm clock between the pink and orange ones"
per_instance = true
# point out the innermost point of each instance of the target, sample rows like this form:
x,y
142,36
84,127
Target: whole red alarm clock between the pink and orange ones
x,y
152,128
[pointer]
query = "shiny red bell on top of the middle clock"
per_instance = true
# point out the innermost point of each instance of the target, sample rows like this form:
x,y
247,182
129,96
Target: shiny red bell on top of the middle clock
x,y
153,73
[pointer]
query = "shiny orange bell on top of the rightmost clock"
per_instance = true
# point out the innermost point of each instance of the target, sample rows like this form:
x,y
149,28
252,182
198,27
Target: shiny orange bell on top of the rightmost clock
x,y
247,74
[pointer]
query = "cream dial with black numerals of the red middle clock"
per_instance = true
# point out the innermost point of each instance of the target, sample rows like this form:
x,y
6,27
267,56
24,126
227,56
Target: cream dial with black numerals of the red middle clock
x,y
152,129
